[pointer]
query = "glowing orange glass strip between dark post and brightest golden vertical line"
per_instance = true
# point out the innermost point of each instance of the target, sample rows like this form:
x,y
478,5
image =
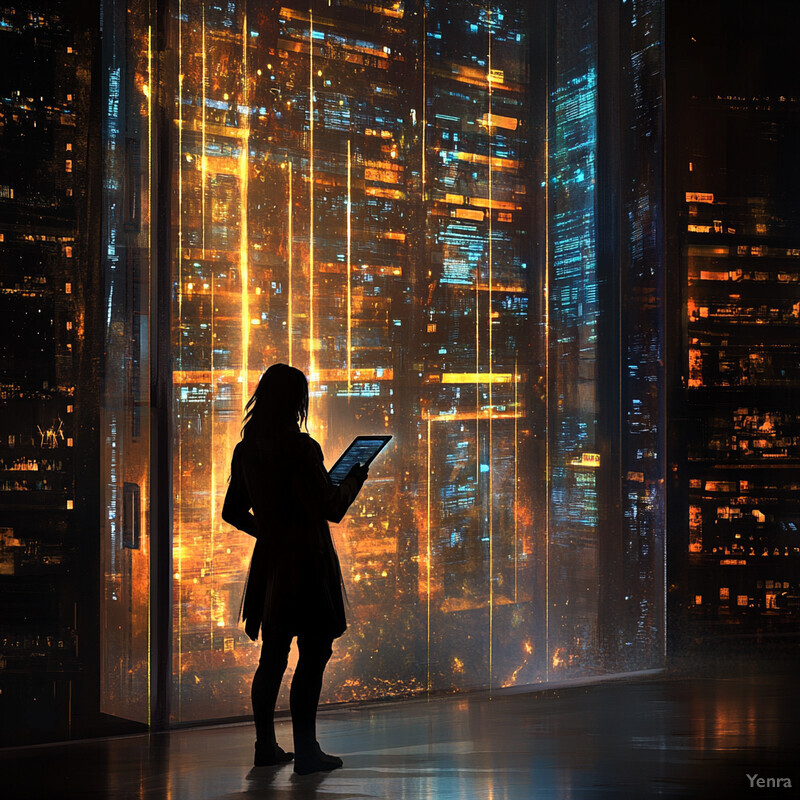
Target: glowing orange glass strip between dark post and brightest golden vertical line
x,y
211,334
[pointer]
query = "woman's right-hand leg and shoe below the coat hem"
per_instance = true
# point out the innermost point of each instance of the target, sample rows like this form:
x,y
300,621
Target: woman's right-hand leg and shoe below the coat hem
x,y
314,654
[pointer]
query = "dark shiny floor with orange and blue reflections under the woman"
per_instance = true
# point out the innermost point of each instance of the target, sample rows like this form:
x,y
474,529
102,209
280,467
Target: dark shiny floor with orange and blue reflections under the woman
x,y
688,733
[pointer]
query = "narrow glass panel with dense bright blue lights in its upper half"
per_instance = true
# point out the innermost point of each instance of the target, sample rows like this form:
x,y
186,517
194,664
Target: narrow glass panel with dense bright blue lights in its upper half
x,y
574,314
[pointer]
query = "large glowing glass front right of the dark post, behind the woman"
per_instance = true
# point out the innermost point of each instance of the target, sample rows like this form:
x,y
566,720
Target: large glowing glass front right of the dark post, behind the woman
x,y
360,190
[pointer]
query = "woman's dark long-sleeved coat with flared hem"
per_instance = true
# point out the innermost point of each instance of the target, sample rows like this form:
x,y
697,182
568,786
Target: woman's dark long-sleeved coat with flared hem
x,y
295,582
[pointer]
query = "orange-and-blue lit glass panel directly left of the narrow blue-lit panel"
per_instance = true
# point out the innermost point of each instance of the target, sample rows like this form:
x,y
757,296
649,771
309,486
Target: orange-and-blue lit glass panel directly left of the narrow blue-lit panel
x,y
476,537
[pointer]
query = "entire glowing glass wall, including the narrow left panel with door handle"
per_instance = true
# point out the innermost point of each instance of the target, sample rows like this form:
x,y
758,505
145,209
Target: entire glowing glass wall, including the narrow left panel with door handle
x,y
428,207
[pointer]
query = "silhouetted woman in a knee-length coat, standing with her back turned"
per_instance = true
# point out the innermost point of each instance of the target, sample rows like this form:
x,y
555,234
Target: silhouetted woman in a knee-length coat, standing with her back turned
x,y
294,587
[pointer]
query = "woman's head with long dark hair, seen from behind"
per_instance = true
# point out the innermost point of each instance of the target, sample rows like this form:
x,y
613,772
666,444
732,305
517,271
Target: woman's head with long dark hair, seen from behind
x,y
280,401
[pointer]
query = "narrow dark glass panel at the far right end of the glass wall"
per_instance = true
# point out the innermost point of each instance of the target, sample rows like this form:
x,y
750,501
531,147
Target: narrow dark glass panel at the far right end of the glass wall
x,y
638,615
